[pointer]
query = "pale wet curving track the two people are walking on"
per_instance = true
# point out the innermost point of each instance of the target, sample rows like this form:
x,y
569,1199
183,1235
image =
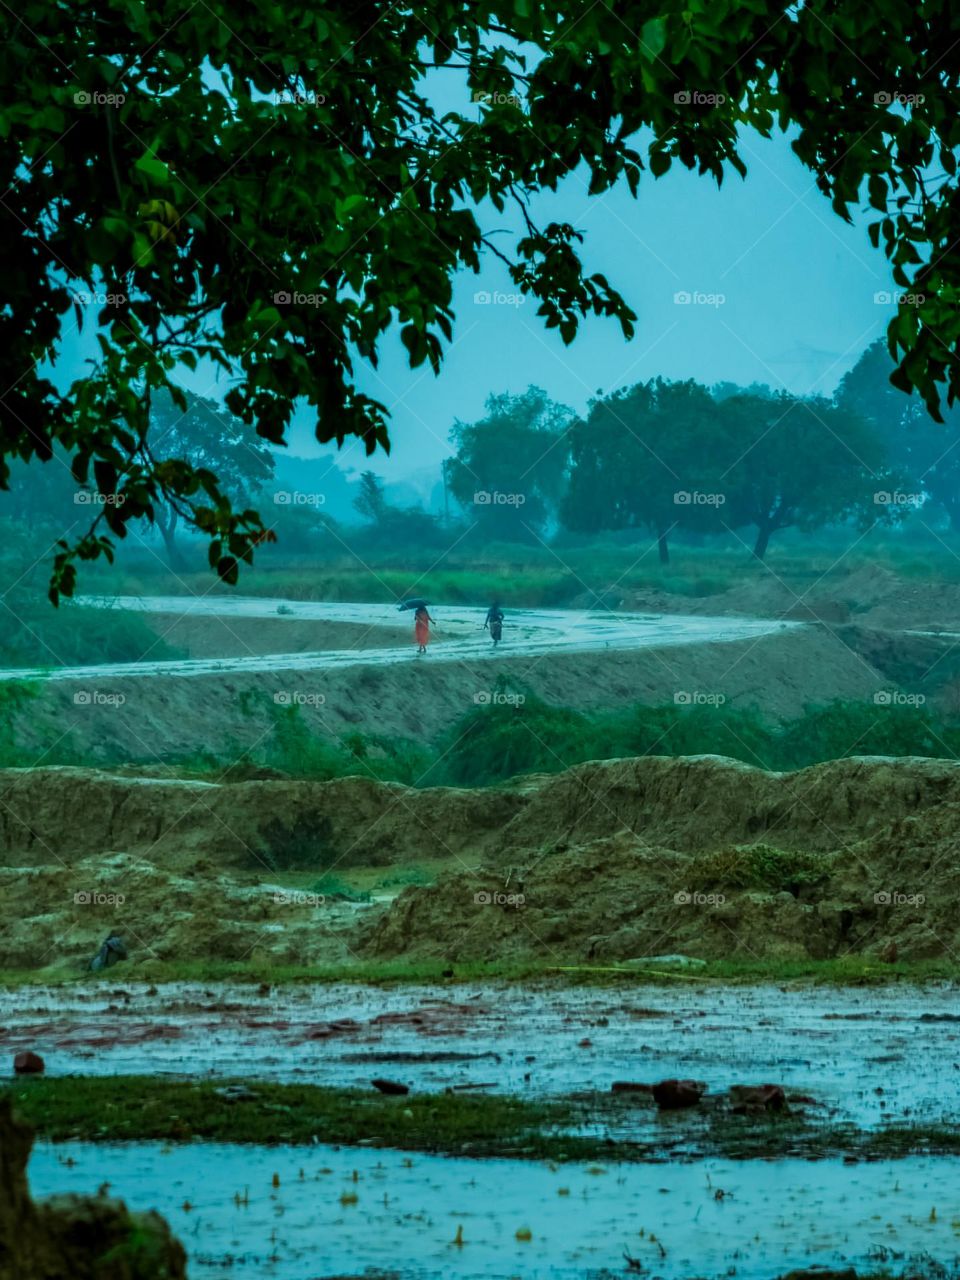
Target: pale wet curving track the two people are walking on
x,y
527,633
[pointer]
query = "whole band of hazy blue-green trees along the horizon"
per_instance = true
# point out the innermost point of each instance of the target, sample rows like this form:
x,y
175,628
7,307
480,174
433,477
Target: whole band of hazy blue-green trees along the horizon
x,y
668,460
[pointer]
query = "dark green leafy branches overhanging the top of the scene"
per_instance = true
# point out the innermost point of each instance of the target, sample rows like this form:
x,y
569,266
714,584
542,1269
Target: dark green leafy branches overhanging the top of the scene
x,y
271,189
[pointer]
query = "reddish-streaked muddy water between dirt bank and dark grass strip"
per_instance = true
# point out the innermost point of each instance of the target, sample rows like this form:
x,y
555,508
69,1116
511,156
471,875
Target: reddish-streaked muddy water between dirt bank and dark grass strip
x,y
871,1057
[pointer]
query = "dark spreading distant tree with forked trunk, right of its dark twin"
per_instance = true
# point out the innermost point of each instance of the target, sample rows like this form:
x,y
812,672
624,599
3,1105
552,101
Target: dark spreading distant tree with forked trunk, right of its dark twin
x,y
801,463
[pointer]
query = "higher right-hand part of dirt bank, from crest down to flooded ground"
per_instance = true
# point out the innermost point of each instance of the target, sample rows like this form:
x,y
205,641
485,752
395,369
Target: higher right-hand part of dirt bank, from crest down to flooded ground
x,y
708,860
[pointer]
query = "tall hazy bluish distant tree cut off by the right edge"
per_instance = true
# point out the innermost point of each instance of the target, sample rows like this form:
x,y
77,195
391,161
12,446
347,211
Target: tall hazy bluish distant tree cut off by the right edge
x,y
927,452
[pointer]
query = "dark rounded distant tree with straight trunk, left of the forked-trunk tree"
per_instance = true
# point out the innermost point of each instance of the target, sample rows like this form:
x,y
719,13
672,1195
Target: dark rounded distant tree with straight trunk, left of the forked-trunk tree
x,y
646,458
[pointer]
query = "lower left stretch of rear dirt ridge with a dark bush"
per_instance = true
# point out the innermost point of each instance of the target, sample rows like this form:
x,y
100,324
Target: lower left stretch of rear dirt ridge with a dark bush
x,y
63,815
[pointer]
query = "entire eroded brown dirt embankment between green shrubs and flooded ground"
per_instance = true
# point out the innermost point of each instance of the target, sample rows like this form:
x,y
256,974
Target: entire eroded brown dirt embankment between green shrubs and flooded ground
x,y
610,862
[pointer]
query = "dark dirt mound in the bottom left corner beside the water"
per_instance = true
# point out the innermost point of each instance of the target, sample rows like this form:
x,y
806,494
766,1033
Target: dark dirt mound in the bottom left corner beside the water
x,y
80,1237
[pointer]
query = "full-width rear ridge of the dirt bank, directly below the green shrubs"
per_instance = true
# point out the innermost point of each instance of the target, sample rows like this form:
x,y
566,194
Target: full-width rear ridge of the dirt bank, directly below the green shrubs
x,y
61,816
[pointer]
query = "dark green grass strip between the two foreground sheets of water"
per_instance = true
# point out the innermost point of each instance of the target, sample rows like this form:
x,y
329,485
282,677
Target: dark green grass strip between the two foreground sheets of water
x,y
145,1109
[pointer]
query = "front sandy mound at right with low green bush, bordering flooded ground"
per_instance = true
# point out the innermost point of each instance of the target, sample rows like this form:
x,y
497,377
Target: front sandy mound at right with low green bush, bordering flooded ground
x,y
620,900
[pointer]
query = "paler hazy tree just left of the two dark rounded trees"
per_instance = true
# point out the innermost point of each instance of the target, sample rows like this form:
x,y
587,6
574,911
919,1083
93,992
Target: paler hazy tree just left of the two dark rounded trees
x,y
509,468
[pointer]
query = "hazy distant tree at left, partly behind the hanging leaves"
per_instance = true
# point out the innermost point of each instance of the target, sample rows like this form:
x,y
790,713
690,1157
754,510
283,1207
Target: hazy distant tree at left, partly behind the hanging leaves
x,y
205,438
